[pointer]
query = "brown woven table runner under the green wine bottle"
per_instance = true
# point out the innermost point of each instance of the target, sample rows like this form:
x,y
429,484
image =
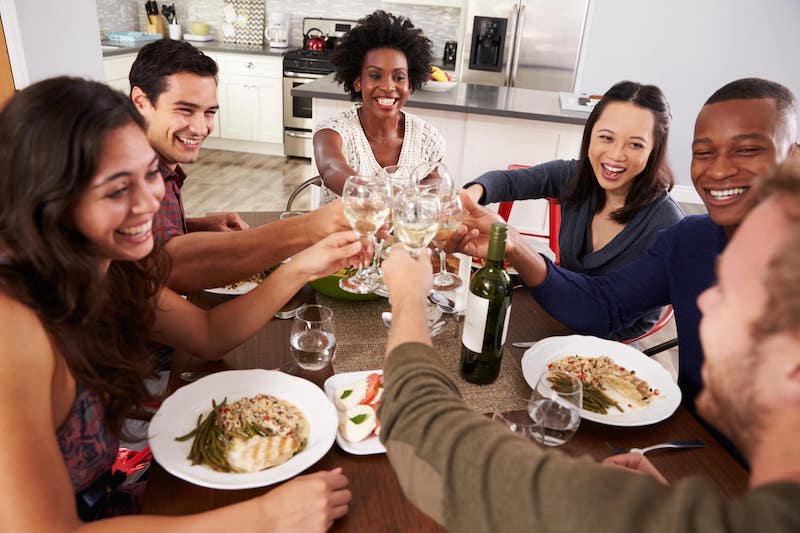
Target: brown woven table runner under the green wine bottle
x,y
361,345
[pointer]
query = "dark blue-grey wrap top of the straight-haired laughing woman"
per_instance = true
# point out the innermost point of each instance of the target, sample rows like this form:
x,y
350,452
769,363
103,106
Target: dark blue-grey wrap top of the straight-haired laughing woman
x,y
575,237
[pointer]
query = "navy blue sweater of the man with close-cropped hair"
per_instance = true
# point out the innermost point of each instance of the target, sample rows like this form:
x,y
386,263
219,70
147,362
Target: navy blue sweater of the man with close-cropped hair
x,y
676,269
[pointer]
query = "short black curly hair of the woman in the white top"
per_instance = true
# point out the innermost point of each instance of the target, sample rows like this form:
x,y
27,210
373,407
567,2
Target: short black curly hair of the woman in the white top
x,y
381,30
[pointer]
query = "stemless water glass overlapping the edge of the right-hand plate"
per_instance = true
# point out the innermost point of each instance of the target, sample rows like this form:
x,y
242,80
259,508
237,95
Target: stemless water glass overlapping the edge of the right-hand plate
x,y
555,407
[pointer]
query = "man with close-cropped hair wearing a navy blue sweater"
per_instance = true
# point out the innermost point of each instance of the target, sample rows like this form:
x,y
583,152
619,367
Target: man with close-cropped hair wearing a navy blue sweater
x,y
742,132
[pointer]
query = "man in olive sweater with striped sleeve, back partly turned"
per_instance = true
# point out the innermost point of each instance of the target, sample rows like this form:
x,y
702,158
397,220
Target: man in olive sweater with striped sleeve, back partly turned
x,y
448,457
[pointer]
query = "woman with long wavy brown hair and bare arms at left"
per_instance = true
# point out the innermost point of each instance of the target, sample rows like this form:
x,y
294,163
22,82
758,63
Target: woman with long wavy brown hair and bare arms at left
x,y
81,293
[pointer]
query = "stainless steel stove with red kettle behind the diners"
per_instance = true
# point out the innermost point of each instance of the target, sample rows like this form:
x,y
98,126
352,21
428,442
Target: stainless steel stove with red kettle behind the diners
x,y
303,66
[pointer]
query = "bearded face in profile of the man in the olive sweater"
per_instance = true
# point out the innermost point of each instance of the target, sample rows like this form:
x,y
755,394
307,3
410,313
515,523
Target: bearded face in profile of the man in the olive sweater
x,y
736,364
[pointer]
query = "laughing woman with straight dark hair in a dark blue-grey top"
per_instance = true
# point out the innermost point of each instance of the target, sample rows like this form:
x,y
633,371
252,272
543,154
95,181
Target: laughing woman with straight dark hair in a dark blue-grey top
x,y
614,198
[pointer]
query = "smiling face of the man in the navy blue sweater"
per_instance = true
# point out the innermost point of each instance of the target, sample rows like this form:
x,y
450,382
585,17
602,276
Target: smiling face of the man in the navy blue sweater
x,y
735,143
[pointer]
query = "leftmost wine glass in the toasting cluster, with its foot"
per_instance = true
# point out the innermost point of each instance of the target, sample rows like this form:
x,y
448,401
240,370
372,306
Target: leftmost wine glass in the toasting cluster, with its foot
x,y
366,204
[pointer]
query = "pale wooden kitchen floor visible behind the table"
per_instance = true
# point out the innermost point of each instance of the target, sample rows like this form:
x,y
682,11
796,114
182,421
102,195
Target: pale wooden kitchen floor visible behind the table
x,y
235,181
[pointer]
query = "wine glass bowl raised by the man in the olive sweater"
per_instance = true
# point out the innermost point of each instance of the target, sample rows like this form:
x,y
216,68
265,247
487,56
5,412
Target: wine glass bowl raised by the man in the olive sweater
x,y
415,216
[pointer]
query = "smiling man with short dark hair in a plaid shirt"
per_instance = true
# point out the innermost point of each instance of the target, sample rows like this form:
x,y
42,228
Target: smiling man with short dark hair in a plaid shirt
x,y
174,86
